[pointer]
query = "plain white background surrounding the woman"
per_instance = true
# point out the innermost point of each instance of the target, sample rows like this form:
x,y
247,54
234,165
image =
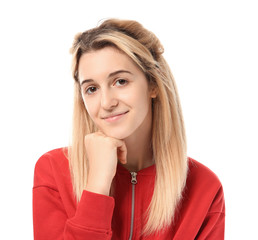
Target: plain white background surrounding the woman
x,y
211,47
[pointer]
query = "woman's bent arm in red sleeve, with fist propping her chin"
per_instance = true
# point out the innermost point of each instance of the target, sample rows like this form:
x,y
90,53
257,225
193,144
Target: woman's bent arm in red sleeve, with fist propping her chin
x,y
91,219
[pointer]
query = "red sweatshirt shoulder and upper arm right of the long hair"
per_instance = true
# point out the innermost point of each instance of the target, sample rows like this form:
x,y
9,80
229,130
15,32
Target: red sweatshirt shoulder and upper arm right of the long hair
x,y
202,209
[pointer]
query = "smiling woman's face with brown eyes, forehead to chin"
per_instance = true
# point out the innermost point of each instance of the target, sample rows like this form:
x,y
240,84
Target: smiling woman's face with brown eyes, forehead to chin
x,y
115,92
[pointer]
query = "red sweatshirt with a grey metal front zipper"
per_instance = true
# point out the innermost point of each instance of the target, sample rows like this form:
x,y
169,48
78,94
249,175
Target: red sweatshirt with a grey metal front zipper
x,y
57,215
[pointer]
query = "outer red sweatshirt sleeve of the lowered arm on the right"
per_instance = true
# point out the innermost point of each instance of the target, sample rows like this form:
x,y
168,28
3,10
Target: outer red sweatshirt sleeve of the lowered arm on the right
x,y
213,225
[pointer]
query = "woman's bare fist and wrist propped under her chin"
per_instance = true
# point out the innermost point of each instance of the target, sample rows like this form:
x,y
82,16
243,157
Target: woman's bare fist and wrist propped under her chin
x,y
103,153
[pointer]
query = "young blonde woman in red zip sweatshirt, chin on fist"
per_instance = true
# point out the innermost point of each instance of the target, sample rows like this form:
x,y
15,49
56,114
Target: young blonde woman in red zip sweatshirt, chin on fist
x,y
126,174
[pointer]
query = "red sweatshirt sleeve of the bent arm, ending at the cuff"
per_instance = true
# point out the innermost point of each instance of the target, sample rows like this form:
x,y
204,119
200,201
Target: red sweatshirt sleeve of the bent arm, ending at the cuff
x,y
92,219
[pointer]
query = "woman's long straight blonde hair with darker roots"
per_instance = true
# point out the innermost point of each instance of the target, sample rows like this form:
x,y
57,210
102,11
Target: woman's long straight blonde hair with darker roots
x,y
168,133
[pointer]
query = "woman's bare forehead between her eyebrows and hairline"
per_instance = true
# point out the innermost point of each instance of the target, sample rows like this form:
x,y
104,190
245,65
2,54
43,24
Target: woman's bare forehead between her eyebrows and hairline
x,y
100,63
